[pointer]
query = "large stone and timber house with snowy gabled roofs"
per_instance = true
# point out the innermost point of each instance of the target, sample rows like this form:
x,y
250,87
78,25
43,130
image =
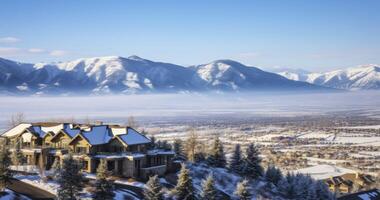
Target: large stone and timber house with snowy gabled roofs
x,y
128,153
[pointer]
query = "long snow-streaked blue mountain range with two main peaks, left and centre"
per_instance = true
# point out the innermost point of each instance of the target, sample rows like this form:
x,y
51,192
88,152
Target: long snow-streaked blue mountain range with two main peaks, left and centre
x,y
115,74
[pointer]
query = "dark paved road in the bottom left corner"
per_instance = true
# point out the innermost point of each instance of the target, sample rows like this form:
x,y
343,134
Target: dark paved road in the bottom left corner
x,y
30,191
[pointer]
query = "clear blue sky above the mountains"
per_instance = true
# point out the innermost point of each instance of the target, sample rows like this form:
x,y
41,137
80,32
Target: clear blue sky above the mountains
x,y
314,35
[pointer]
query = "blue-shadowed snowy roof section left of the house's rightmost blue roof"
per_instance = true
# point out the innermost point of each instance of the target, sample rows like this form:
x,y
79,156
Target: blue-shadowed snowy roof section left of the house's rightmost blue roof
x,y
98,135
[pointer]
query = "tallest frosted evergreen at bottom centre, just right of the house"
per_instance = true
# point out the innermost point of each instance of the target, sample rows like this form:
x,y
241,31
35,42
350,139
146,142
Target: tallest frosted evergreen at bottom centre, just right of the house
x,y
184,189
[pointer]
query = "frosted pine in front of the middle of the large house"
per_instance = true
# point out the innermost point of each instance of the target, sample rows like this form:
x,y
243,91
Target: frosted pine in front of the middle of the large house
x,y
103,187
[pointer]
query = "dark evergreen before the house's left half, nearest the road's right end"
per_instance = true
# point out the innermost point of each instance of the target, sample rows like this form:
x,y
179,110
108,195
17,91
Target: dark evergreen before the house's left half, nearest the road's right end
x,y
70,179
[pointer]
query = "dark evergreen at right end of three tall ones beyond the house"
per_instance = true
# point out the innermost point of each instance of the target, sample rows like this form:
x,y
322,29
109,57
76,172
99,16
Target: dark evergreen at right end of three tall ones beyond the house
x,y
251,163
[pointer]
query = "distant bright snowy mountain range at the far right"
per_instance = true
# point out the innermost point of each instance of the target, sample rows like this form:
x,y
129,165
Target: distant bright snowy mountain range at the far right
x,y
360,77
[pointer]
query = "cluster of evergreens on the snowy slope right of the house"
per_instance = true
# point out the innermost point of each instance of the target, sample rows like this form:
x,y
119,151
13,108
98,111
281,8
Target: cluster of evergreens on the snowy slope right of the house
x,y
247,165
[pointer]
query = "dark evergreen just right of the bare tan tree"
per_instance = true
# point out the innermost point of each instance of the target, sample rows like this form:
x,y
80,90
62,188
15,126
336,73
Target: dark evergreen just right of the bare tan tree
x,y
216,156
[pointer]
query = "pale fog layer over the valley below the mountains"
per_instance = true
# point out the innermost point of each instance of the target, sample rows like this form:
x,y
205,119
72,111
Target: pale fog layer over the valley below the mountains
x,y
191,107
